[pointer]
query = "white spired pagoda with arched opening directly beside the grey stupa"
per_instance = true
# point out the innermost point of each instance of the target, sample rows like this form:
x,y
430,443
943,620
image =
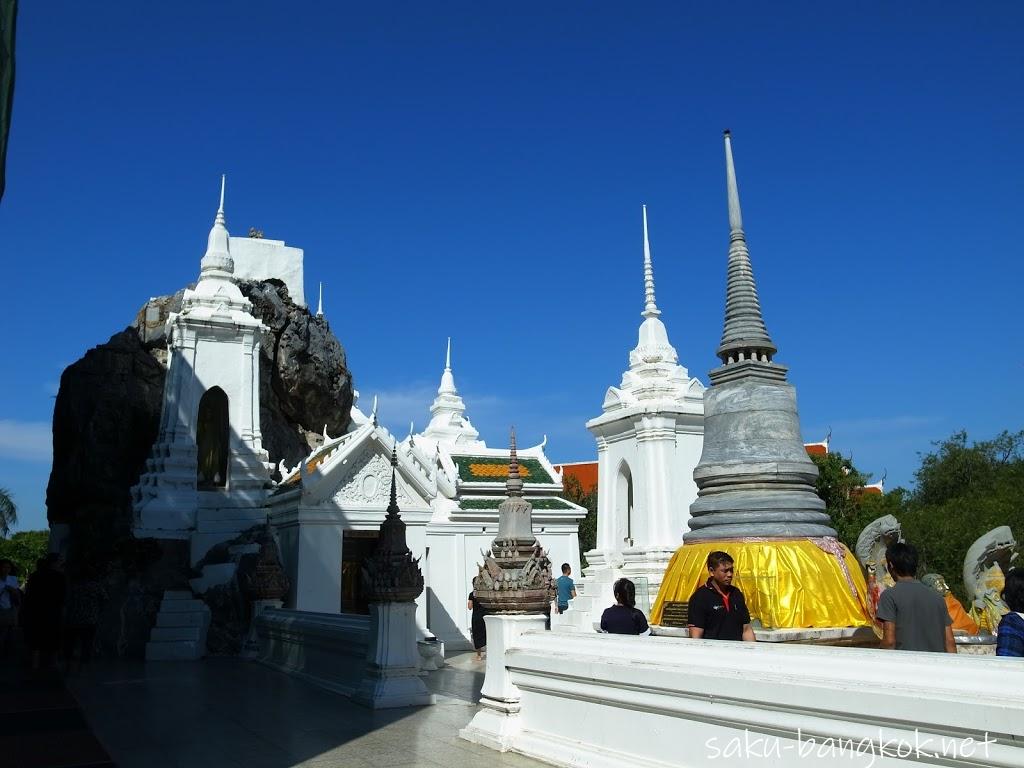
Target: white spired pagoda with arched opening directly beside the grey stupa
x,y
650,439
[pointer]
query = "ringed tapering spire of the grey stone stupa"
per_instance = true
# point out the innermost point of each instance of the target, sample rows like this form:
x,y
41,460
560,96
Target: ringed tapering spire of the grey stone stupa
x,y
745,337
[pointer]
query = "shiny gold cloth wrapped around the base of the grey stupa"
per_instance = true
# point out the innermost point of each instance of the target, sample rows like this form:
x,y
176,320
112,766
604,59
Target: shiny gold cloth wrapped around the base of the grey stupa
x,y
788,584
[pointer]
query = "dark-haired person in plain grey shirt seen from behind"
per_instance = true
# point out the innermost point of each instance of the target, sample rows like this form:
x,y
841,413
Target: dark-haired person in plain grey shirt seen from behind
x,y
914,616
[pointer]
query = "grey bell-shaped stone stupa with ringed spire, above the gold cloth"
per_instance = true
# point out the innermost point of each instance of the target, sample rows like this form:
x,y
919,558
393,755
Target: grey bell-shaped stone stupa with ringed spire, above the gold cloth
x,y
754,479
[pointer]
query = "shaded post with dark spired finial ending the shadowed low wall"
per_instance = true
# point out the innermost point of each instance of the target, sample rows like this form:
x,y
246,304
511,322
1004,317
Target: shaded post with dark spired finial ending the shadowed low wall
x,y
393,581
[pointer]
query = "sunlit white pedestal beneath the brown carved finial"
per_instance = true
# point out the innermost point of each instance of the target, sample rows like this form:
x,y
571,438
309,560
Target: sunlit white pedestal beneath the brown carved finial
x,y
498,720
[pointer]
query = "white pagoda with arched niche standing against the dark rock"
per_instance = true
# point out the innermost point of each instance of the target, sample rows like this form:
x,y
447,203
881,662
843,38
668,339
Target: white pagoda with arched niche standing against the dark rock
x,y
208,476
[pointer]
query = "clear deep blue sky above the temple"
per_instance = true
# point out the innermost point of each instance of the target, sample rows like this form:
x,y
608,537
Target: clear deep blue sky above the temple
x,y
478,169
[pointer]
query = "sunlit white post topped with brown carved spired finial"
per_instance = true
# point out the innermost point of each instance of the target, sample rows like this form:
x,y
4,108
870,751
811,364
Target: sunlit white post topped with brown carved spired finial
x,y
515,587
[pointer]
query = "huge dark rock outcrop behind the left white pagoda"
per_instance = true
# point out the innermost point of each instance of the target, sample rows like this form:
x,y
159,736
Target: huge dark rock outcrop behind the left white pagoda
x,y
107,418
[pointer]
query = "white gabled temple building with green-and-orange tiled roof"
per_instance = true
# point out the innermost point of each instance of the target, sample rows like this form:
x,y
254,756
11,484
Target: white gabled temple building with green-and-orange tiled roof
x,y
329,509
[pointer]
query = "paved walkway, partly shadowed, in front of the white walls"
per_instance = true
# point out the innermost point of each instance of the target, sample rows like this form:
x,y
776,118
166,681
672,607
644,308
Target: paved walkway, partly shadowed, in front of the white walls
x,y
228,713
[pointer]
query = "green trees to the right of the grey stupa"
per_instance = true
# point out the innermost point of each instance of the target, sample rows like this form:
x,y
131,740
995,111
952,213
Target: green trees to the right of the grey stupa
x,y
963,491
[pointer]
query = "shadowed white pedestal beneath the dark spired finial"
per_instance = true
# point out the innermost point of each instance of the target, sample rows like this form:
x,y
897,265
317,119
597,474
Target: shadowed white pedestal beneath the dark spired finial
x,y
393,677
